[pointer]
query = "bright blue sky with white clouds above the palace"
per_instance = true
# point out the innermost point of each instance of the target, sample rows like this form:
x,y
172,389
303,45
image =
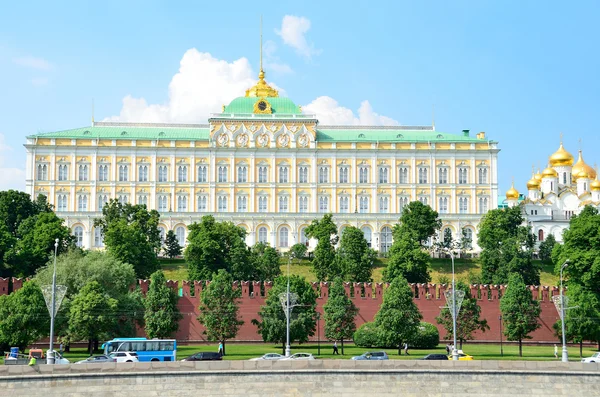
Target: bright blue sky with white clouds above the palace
x,y
522,71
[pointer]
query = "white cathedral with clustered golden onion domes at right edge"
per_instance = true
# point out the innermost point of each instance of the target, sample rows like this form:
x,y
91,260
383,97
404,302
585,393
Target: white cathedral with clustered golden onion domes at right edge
x,y
557,193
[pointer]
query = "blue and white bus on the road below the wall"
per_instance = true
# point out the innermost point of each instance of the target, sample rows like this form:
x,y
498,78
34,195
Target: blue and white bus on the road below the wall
x,y
146,349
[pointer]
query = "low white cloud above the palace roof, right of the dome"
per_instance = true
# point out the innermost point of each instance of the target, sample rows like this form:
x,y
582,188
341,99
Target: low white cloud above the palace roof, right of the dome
x,y
329,112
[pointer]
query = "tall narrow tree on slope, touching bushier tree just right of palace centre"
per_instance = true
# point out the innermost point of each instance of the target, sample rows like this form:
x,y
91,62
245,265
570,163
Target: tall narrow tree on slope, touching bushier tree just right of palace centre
x,y
325,232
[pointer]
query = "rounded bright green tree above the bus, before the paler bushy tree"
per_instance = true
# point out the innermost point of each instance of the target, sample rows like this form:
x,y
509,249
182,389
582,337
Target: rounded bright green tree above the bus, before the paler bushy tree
x,y
92,315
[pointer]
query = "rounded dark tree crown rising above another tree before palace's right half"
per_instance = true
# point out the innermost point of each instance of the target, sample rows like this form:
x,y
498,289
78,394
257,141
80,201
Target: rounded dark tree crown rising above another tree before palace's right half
x,y
419,220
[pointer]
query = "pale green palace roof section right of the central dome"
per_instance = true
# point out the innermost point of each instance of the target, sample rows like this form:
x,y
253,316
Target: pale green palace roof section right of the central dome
x,y
390,135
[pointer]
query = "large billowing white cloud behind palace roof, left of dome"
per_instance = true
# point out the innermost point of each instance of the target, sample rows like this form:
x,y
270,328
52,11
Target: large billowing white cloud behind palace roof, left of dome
x,y
202,85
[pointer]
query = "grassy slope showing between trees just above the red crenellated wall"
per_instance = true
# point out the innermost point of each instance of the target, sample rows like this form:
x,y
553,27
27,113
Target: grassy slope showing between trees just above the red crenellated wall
x,y
176,269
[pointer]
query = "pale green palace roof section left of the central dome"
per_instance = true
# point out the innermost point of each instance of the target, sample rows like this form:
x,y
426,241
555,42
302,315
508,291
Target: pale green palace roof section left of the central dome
x,y
131,132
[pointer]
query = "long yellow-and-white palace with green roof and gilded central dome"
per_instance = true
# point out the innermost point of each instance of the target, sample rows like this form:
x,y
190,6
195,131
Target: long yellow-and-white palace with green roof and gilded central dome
x,y
268,167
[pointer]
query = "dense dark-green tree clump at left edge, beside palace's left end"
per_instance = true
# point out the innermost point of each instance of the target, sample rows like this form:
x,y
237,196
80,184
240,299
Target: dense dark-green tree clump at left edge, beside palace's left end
x,y
28,230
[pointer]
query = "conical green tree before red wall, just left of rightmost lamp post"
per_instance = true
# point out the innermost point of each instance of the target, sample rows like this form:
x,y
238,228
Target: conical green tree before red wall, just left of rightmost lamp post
x,y
520,311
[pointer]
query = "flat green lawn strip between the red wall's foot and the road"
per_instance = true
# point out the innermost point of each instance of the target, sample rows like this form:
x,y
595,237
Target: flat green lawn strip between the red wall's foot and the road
x,y
237,351
